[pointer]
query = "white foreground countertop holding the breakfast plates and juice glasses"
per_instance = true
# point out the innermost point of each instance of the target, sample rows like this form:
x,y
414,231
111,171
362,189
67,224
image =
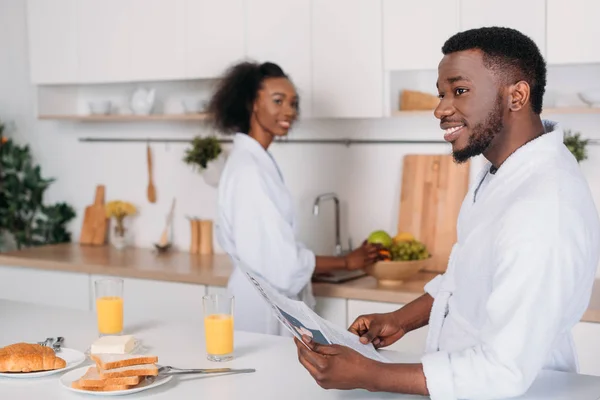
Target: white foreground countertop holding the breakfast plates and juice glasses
x,y
278,373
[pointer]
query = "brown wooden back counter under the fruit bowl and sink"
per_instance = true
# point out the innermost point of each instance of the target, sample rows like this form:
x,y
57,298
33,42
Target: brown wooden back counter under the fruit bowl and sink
x,y
214,270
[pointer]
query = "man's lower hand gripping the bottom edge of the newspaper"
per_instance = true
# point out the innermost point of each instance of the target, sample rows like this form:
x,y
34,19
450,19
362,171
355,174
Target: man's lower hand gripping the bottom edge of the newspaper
x,y
336,367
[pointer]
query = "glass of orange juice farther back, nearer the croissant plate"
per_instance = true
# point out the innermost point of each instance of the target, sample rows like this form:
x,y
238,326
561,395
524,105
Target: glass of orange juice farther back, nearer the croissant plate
x,y
109,306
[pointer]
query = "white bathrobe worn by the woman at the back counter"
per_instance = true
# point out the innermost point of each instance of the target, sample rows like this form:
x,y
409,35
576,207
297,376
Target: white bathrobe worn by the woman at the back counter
x,y
255,224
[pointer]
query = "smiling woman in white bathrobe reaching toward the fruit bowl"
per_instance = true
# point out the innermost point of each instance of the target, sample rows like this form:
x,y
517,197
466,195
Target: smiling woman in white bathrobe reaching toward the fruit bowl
x,y
255,222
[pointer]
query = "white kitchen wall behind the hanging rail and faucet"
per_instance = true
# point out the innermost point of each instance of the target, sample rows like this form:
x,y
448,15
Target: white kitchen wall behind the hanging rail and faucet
x,y
366,177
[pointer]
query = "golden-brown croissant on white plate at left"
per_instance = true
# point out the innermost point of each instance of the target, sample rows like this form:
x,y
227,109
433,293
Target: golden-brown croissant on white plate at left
x,y
26,357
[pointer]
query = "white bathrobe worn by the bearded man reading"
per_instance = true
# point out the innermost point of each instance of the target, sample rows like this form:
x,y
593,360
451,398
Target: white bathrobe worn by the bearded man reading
x,y
519,276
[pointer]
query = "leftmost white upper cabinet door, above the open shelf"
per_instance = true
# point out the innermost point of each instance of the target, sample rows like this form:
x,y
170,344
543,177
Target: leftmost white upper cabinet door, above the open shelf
x,y
52,31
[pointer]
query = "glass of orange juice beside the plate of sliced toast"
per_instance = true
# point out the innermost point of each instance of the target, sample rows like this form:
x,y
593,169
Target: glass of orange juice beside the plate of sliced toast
x,y
218,326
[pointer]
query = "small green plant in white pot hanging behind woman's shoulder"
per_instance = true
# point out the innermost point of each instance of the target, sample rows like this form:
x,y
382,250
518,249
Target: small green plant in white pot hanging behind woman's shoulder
x,y
206,156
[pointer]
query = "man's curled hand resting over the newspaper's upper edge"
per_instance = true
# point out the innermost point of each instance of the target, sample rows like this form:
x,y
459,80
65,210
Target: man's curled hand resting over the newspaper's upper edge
x,y
380,329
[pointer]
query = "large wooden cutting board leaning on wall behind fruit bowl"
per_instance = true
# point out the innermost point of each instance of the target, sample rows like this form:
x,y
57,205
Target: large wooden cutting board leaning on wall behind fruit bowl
x,y
432,192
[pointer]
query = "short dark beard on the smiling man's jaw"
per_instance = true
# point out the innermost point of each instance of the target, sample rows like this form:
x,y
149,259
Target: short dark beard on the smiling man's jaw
x,y
483,134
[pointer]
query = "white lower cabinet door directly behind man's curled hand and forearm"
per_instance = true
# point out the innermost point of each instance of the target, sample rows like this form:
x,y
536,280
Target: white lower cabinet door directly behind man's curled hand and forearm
x,y
413,342
